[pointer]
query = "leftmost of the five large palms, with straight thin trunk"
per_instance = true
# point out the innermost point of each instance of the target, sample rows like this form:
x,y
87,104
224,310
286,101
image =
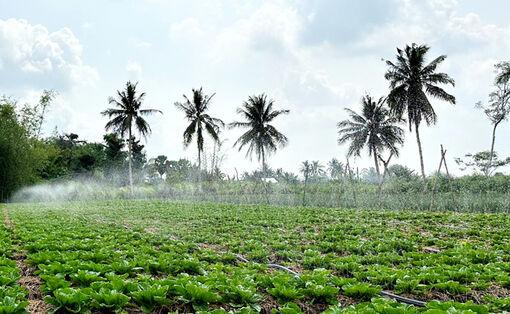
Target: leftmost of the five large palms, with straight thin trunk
x,y
126,113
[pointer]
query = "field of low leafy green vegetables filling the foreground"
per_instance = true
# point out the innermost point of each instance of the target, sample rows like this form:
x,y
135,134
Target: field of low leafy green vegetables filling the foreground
x,y
159,256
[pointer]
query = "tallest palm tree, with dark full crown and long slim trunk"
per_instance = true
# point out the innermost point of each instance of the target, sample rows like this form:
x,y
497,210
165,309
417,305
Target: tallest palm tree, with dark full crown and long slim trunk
x,y
411,81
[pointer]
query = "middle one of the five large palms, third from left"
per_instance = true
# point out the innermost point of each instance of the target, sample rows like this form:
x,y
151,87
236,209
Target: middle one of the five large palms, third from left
x,y
261,137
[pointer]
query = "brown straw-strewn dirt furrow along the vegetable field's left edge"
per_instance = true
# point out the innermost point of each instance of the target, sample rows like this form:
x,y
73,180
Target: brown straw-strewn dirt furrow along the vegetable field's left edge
x,y
28,280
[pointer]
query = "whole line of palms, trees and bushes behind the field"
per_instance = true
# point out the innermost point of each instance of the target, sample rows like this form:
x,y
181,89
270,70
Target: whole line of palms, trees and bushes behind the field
x,y
26,157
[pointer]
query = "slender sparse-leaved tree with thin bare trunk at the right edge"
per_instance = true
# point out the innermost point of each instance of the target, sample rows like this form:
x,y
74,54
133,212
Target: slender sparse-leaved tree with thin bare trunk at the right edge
x,y
498,108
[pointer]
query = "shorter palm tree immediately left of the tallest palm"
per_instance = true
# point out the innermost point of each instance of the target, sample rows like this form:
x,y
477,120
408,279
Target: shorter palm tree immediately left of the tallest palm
x,y
374,128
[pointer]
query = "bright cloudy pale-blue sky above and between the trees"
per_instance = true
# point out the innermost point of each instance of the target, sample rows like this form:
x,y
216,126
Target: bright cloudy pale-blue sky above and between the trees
x,y
314,57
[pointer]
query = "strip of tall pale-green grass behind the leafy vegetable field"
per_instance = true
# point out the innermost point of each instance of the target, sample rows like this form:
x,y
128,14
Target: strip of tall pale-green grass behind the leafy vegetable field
x,y
329,194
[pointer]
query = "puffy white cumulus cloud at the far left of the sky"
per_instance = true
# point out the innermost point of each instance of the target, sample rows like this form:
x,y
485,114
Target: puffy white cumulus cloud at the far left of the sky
x,y
27,49
